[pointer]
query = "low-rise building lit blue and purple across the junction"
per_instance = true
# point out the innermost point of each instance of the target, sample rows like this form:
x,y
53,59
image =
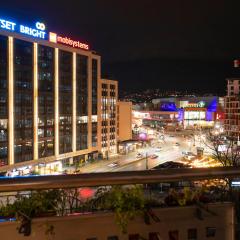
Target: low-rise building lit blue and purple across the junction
x,y
187,112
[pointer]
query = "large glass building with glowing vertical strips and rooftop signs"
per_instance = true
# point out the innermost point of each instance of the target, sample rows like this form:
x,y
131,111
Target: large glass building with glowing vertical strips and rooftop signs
x,y
49,96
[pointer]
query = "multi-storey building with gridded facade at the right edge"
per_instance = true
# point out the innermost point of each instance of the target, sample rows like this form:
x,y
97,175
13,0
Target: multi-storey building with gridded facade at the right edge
x,y
232,108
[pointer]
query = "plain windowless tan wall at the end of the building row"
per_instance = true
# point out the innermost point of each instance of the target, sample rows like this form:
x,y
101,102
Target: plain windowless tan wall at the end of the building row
x,y
125,121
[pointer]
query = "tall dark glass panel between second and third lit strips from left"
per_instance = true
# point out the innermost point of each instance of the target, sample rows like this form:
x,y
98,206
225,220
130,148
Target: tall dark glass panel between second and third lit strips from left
x,y
45,101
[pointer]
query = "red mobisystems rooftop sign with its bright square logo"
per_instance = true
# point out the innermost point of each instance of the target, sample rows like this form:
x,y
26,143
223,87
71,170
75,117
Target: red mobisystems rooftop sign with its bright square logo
x,y
53,37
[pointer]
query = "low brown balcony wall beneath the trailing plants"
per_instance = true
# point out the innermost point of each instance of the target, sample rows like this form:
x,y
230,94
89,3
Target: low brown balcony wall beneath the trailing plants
x,y
103,225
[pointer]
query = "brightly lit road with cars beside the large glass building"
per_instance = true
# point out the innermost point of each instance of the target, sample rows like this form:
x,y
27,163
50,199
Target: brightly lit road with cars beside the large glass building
x,y
168,152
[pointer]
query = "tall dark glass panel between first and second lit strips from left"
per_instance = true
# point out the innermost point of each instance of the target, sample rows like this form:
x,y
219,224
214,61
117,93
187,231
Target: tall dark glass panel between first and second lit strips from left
x,y
23,100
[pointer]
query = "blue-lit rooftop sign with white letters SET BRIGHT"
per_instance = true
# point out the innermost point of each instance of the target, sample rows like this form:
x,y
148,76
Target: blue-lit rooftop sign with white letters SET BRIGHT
x,y
38,31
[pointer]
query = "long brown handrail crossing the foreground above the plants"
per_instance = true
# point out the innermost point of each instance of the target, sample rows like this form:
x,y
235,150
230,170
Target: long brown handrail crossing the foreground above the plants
x,y
116,178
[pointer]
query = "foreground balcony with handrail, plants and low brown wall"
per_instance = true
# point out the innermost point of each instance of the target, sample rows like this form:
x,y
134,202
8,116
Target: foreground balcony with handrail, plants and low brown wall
x,y
123,205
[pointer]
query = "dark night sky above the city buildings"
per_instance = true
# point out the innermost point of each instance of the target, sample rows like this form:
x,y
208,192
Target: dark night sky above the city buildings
x,y
171,45
